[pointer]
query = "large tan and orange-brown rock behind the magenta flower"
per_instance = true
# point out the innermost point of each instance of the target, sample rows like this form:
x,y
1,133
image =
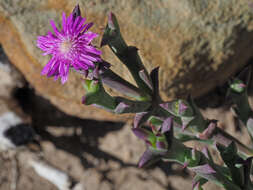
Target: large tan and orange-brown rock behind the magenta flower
x,y
197,44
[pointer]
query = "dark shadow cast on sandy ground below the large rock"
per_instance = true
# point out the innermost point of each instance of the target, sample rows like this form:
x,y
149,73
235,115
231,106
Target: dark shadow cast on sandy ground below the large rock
x,y
85,139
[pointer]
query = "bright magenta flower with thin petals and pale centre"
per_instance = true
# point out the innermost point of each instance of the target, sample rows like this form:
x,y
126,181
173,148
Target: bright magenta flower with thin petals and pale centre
x,y
70,48
